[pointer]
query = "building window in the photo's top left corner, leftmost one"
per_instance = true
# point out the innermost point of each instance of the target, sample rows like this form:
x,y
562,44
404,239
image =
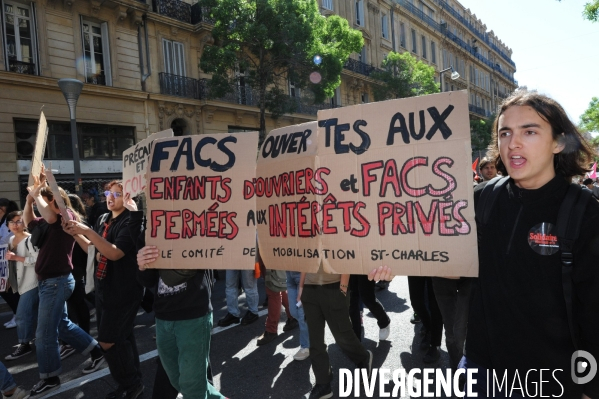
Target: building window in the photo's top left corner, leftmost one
x,y
19,38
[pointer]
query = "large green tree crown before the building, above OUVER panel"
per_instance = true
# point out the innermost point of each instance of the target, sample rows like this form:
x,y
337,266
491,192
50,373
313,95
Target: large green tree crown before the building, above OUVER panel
x,y
273,42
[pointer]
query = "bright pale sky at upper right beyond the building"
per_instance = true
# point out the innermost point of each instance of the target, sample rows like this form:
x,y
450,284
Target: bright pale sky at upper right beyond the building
x,y
555,50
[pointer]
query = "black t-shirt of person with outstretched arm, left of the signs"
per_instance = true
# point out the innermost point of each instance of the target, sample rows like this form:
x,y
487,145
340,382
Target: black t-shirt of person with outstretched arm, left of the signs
x,y
120,286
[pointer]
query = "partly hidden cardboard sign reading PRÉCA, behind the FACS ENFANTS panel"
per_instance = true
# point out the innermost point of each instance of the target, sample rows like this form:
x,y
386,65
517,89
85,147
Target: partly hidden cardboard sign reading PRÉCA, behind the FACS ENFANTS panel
x,y
135,161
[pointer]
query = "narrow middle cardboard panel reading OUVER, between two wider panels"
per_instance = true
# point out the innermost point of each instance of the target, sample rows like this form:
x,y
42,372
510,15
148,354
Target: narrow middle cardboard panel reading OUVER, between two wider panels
x,y
287,180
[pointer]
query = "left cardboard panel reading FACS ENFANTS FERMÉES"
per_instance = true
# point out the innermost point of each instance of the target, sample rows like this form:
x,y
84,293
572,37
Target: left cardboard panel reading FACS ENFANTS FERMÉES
x,y
198,216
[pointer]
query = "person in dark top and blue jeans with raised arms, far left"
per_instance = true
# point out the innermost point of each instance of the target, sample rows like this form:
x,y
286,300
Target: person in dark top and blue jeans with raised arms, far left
x,y
55,285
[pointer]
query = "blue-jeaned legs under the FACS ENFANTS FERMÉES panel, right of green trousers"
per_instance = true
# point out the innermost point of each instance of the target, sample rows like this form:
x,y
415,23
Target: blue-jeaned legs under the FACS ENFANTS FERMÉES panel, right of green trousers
x,y
250,286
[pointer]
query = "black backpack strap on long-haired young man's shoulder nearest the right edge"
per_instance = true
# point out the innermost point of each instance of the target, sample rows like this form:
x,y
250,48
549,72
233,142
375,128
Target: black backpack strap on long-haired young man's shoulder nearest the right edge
x,y
569,220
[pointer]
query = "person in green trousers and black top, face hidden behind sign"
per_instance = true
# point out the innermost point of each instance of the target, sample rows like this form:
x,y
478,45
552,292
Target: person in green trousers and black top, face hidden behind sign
x,y
183,317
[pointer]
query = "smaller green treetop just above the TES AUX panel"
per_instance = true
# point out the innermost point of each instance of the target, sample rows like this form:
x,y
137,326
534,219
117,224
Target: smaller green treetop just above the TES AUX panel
x,y
402,75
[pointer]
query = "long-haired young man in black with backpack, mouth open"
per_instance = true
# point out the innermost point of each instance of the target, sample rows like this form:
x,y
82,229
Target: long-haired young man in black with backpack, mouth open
x,y
518,329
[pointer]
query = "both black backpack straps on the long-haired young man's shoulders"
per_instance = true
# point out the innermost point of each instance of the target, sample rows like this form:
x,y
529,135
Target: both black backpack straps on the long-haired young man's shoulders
x,y
569,219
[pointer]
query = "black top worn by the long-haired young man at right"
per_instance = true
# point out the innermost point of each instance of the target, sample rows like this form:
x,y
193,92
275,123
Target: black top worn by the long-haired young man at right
x,y
518,318
